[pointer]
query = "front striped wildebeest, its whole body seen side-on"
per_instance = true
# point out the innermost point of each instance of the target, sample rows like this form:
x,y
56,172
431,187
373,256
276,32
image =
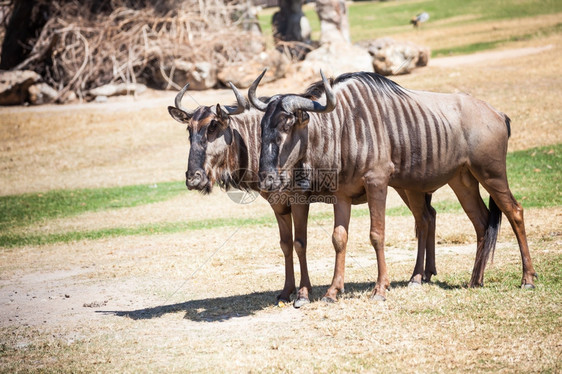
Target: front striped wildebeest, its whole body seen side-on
x,y
377,134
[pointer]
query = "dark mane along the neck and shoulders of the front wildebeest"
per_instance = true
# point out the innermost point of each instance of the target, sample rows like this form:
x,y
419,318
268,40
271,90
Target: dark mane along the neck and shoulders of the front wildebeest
x,y
383,84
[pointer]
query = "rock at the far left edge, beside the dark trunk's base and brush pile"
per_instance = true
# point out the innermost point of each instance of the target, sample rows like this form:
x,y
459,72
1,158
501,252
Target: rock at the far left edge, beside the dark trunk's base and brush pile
x,y
14,86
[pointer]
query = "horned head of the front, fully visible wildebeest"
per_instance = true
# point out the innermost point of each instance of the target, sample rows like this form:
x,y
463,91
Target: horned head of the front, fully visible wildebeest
x,y
284,132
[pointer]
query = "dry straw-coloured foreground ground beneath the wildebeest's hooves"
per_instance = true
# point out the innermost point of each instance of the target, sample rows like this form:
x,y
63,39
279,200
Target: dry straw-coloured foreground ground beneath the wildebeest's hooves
x,y
158,318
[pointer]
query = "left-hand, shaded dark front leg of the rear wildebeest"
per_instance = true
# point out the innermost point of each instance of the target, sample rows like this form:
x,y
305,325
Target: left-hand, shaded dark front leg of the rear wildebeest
x,y
284,222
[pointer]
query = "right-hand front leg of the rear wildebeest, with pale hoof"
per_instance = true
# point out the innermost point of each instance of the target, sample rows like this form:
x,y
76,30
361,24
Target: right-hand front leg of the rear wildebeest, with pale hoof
x,y
300,219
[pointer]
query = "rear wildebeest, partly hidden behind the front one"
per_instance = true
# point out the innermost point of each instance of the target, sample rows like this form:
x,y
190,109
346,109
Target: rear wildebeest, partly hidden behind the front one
x,y
225,144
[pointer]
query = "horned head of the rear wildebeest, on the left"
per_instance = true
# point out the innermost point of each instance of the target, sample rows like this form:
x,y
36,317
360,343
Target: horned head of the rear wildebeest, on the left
x,y
209,136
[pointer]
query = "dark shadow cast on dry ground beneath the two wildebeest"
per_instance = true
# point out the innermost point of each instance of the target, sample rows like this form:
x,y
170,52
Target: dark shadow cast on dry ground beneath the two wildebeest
x,y
229,307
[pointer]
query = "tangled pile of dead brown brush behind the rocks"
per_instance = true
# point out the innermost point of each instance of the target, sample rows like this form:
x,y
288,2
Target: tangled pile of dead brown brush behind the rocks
x,y
81,47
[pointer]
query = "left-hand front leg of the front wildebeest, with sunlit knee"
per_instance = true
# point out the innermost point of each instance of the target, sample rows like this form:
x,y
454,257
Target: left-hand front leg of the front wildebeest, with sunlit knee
x,y
342,213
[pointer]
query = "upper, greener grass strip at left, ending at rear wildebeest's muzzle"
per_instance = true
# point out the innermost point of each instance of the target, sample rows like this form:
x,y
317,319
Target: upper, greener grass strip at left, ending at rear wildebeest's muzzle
x,y
22,210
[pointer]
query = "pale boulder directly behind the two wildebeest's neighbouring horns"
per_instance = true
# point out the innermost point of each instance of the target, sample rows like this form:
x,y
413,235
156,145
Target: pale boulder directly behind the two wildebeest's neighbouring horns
x,y
243,74
